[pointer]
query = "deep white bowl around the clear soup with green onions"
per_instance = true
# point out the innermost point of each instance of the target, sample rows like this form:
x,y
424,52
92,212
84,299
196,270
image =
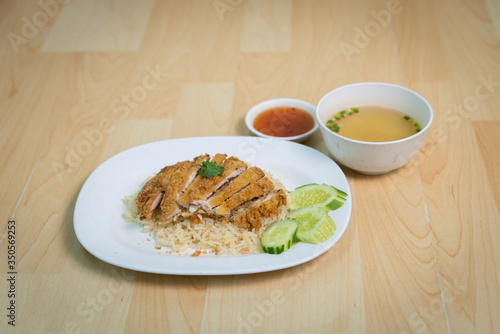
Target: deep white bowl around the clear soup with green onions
x,y
373,157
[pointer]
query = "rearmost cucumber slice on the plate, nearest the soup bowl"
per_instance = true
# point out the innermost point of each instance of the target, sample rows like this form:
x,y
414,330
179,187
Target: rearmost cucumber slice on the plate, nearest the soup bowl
x,y
321,195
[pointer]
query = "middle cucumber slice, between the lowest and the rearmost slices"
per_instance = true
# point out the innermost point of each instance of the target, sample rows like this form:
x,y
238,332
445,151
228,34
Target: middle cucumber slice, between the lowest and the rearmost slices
x,y
315,225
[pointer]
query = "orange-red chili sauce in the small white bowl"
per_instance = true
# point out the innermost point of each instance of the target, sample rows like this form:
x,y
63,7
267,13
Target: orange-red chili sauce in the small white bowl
x,y
283,122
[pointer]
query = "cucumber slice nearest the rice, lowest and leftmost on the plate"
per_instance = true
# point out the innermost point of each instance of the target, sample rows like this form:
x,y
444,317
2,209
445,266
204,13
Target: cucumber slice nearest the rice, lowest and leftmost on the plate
x,y
279,236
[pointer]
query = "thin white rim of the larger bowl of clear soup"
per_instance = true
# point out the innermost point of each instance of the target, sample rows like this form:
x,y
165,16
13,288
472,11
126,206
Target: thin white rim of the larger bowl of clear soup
x,y
374,83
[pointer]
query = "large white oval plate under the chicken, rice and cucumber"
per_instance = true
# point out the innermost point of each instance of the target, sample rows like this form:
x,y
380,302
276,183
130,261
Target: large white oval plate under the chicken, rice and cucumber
x,y
101,230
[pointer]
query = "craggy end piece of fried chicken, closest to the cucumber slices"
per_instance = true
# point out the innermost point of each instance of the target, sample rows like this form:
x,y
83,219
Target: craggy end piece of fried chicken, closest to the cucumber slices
x,y
251,216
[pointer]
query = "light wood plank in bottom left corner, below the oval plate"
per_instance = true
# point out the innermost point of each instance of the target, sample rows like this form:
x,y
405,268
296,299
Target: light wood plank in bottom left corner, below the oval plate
x,y
94,300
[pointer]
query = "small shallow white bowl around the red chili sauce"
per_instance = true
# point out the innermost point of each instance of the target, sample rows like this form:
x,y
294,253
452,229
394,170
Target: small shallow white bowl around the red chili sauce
x,y
281,102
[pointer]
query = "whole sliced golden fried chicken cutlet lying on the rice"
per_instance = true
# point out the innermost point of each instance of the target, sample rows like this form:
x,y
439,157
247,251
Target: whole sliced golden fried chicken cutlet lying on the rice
x,y
240,194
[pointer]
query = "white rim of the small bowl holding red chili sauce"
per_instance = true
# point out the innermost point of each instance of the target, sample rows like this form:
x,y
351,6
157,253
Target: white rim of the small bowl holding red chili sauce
x,y
287,101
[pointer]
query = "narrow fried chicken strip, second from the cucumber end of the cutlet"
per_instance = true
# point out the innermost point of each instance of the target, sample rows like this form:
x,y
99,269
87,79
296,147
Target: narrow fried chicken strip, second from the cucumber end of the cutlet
x,y
256,189
